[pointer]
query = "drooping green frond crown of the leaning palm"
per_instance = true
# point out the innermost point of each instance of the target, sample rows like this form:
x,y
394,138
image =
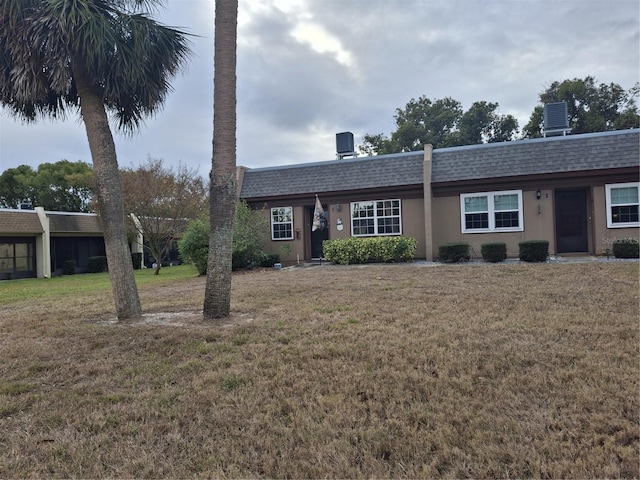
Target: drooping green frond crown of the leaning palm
x,y
129,56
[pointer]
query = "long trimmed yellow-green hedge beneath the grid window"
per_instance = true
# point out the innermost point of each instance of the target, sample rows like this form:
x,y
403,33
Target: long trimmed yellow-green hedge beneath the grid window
x,y
369,249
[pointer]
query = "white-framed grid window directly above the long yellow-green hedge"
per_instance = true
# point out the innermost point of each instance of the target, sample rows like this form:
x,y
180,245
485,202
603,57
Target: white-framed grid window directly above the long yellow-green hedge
x,y
376,217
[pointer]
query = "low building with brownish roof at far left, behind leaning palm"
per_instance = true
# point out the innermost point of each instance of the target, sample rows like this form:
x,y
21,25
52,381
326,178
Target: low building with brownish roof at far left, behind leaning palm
x,y
37,243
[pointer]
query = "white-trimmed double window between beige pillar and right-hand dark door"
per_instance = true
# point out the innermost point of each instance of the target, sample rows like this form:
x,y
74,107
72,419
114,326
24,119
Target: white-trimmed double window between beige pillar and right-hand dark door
x,y
491,212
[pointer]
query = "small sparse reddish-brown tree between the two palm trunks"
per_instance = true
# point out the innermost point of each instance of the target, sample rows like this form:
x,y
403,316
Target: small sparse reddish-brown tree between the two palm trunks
x,y
163,201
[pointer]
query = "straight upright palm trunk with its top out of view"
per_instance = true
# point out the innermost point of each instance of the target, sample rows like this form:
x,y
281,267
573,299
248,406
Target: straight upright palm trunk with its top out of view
x,y
223,195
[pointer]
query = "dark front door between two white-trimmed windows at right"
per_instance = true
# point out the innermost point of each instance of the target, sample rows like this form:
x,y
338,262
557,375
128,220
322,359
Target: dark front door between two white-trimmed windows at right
x,y
571,221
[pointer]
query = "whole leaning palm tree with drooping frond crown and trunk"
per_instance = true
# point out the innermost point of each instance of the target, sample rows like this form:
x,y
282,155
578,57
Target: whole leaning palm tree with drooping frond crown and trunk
x,y
98,57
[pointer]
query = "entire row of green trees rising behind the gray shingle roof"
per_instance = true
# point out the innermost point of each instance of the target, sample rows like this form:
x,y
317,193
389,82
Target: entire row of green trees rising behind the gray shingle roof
x,y
591,107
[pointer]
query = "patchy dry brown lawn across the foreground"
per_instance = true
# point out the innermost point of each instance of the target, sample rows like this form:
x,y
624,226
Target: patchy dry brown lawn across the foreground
x,y
527,371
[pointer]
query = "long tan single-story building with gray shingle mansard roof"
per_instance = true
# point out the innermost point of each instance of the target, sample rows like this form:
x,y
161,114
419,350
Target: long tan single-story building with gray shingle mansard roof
x,y
579,192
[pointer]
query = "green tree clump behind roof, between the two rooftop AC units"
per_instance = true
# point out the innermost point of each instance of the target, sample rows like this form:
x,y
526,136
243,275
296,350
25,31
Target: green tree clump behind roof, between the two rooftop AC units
x,y
441,123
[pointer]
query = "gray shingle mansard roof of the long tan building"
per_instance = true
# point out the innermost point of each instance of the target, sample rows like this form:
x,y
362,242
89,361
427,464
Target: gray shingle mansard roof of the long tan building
x,y
572,153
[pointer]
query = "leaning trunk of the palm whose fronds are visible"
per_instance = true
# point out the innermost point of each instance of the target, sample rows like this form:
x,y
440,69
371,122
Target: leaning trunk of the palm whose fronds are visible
x,y
109,196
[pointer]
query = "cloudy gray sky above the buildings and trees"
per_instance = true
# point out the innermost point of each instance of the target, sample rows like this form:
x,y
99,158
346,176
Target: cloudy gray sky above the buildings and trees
x,y
308,69
